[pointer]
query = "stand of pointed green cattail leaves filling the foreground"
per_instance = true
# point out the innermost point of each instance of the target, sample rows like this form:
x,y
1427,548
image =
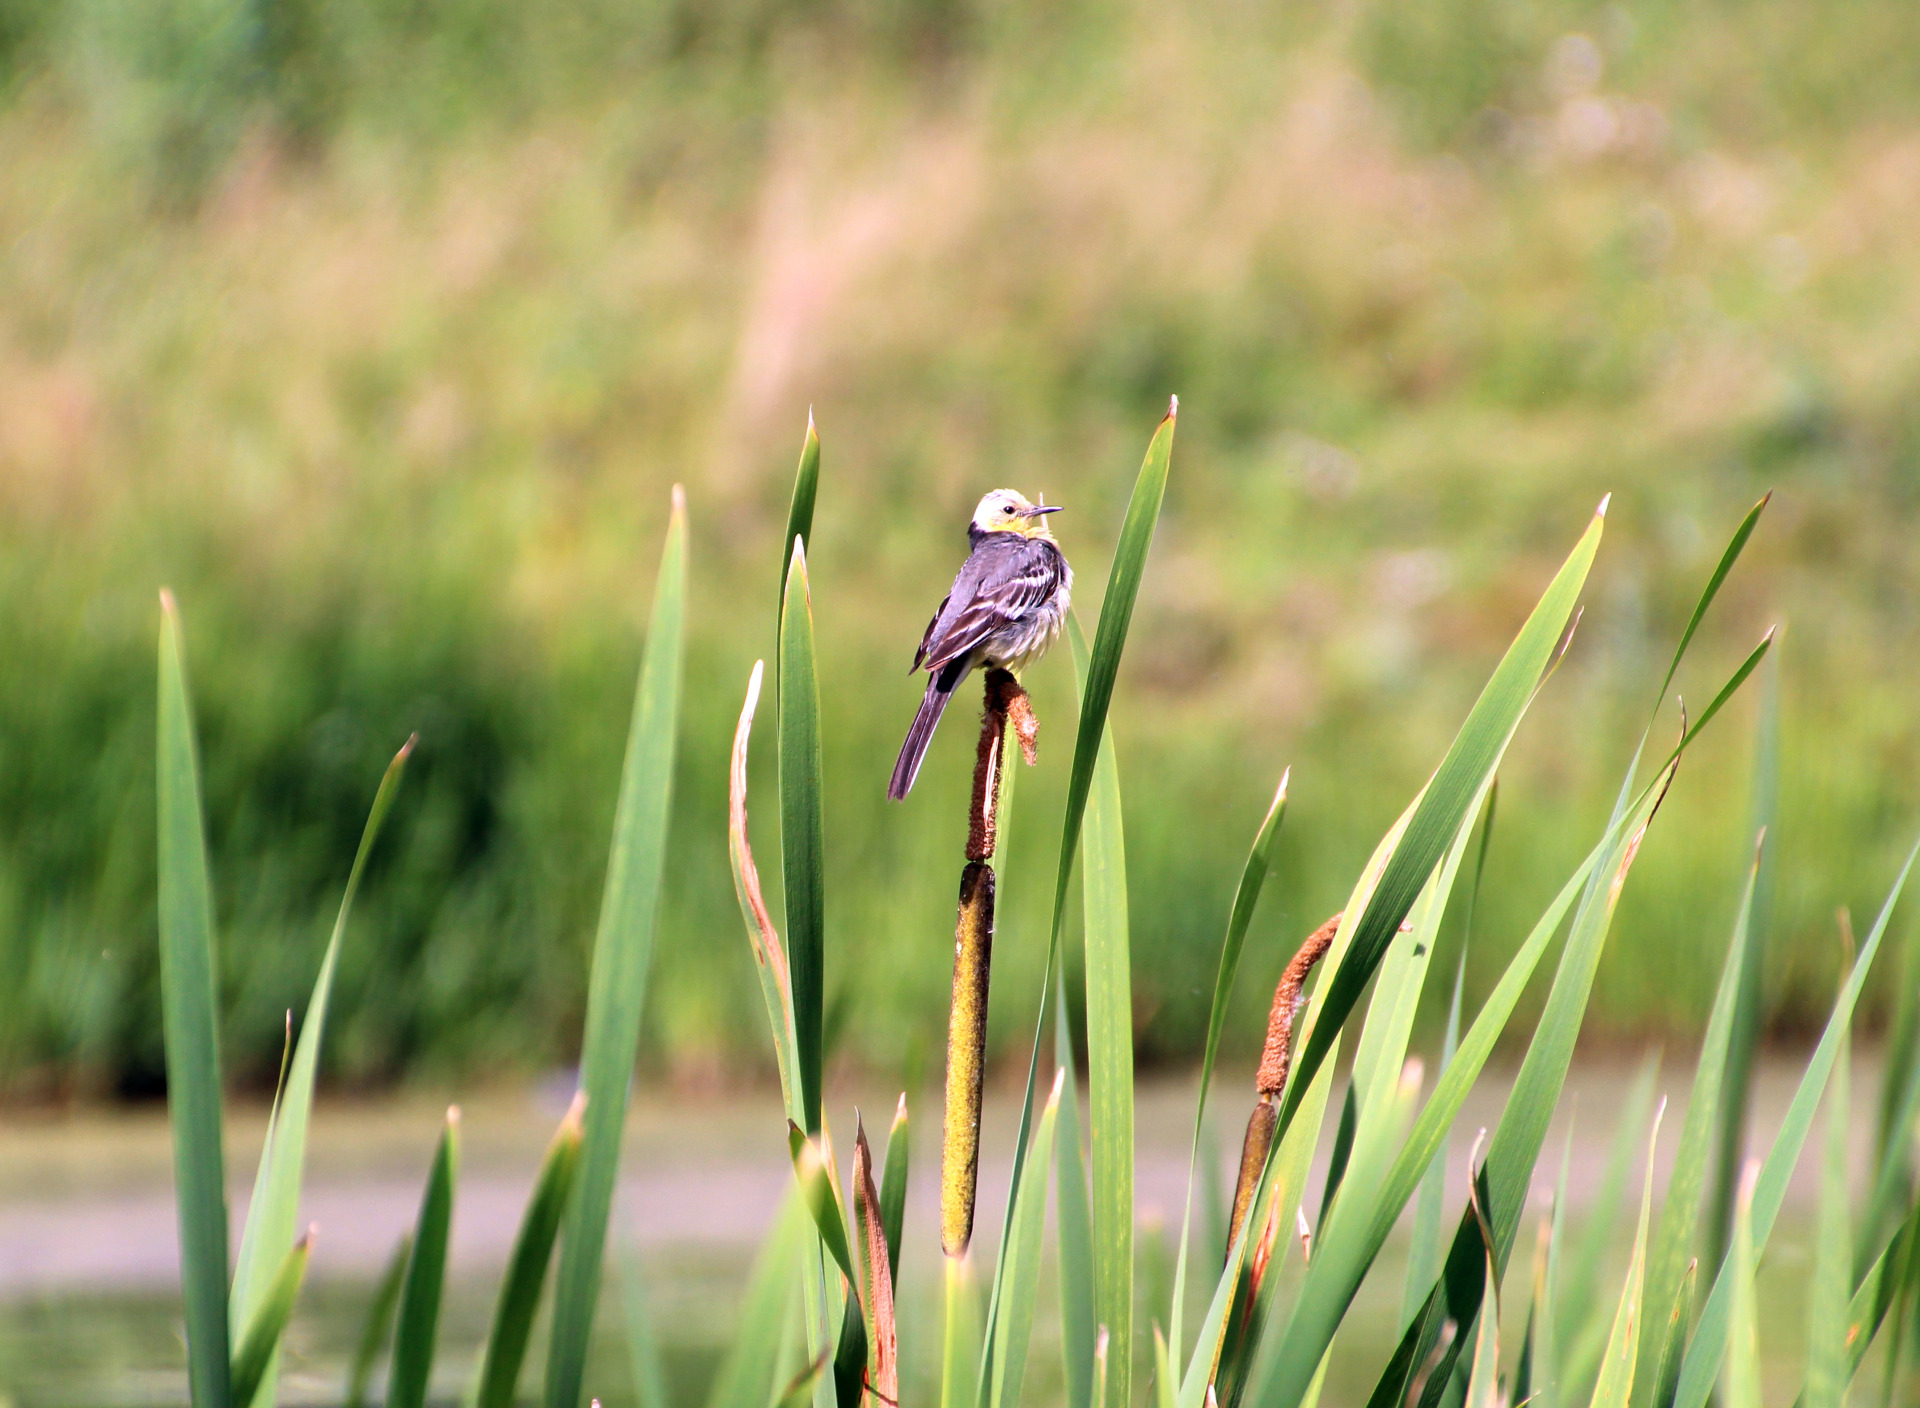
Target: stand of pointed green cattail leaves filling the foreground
x,y
1270,1326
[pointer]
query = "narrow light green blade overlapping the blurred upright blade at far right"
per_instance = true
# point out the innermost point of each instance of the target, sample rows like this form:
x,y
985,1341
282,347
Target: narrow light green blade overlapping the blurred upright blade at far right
x,y
1675,1244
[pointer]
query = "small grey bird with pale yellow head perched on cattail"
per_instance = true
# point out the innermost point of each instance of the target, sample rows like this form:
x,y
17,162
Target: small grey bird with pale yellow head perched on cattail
x,y
1005,610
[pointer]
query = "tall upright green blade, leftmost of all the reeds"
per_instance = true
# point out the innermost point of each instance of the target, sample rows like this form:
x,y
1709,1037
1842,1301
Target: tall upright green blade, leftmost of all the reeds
x,y
189,994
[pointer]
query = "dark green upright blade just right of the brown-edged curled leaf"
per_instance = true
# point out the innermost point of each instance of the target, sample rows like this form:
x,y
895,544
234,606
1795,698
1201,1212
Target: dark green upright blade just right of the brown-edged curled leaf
x,y
802,842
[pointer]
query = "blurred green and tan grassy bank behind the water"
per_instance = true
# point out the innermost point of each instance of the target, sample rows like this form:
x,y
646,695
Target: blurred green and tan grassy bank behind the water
x,y
379,333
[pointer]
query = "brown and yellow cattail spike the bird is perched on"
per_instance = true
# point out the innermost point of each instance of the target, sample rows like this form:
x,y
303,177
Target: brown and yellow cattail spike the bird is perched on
x,y
1005,710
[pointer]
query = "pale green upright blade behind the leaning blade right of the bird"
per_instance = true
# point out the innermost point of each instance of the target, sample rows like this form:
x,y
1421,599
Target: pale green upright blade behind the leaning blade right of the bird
x,y
1111,1071
